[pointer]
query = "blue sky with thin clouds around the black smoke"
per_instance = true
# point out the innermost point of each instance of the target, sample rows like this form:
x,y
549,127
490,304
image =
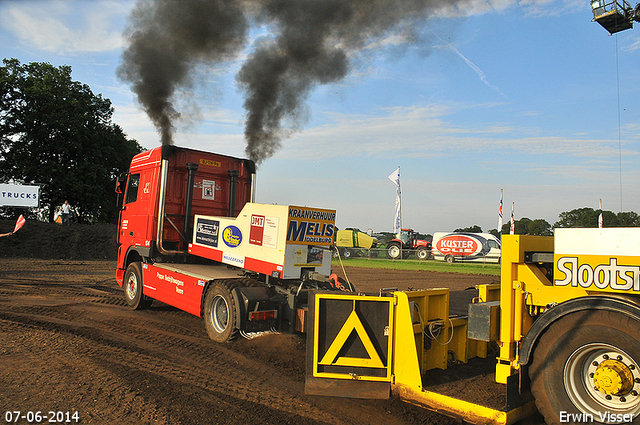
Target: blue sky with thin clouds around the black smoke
x,y
521,96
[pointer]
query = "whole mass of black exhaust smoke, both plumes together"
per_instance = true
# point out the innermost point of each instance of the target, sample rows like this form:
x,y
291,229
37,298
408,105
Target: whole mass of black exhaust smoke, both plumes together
x,y
308,42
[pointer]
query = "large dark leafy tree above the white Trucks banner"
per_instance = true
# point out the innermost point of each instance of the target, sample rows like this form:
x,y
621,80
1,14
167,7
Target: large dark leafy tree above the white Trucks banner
x,y
55,132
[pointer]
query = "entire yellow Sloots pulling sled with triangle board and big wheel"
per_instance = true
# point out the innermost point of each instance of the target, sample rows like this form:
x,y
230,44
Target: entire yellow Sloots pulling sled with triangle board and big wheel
x,y
565,319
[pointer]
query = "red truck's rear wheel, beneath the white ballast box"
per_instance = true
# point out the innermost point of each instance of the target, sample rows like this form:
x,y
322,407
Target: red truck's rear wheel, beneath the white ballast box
x,y
220,312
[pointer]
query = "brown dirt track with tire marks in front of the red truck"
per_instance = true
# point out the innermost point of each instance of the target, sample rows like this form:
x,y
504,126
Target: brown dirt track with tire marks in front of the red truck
x,y
146,362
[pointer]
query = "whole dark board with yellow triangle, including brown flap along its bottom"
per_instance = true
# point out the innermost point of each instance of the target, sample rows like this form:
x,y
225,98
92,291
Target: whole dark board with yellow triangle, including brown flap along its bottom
x,y
349,346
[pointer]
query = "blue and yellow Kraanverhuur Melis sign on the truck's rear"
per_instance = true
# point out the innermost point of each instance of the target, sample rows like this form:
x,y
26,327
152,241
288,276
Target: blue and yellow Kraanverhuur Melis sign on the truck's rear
x,y
310,226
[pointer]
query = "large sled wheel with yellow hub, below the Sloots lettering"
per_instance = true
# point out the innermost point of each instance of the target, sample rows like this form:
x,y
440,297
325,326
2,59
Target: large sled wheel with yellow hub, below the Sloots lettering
x,y
588,363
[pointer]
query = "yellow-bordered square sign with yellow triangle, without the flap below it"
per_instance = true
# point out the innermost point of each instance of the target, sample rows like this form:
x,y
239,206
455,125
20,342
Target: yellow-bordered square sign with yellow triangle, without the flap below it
x,y
352,337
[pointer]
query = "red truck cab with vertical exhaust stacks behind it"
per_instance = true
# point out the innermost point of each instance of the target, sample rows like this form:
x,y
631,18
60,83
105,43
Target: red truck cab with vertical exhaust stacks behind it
x,y
175,183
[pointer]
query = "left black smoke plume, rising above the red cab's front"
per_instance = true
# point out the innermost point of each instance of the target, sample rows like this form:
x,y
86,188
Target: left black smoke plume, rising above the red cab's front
x,y
167,40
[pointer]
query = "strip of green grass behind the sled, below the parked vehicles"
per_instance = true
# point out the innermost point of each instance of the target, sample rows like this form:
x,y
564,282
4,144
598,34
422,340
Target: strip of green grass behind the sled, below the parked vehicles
x,y
430,265
